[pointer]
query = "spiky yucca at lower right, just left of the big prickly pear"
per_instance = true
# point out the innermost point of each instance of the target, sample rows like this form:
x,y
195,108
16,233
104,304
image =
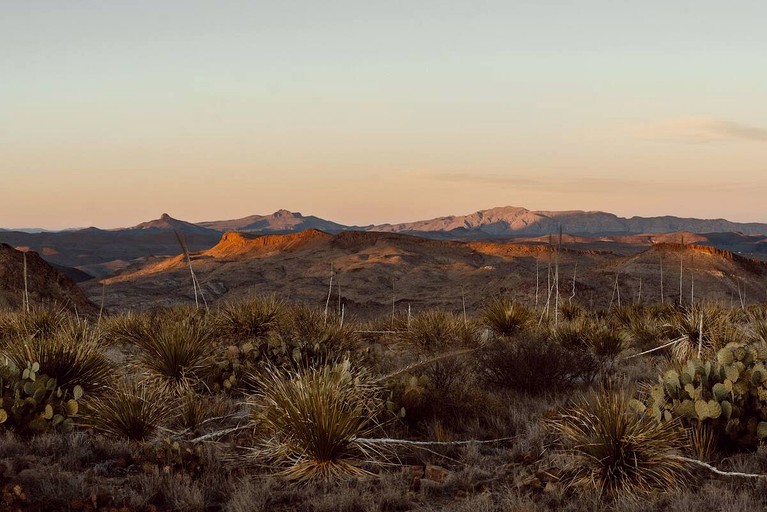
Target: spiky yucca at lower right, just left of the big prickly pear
x,y
617,450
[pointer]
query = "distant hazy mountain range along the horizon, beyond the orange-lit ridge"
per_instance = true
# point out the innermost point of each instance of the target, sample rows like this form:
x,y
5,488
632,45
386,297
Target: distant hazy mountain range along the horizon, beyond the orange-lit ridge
x,y
95,252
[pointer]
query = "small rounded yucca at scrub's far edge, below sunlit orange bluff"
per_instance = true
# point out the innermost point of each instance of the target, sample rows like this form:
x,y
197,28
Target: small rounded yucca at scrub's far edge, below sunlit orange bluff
x,y
250,318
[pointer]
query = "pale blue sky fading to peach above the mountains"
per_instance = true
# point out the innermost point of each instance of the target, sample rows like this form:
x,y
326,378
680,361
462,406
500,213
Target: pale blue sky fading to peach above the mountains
x,y
365,112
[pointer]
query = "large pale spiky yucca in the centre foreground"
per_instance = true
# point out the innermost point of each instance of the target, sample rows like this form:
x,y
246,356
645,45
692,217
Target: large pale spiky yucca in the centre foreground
x,y
313,417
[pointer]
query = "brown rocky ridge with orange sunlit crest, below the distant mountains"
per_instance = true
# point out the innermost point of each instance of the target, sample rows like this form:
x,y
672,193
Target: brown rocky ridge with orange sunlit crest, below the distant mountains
x,y
372,270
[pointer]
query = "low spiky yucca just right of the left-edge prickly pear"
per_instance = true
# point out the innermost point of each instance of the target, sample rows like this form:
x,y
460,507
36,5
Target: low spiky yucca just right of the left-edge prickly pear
x,y
130,410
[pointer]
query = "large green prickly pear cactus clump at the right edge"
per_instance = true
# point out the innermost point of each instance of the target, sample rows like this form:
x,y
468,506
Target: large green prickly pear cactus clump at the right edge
x,y
728,393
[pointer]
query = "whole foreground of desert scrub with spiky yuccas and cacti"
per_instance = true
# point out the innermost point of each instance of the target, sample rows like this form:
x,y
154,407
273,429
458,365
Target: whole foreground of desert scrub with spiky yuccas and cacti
x,y
196,410
